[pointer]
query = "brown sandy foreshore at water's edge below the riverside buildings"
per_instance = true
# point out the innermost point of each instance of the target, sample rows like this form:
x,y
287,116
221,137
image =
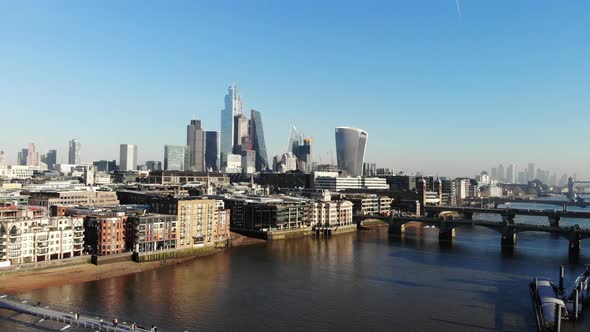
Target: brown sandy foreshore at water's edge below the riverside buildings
x,y
34,279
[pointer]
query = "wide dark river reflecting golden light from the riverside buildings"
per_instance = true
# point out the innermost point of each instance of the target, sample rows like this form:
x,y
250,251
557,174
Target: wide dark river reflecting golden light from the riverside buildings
x,y
368,280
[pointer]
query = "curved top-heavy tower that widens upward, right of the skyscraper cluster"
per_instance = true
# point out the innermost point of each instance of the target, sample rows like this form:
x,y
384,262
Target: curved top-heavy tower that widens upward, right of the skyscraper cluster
x,y
350,149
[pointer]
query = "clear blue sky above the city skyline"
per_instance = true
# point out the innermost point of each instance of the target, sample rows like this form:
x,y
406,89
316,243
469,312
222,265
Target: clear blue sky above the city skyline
x,y
438,92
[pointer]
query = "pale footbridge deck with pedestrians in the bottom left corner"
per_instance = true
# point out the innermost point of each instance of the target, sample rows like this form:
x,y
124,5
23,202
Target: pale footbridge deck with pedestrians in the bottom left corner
x,y
46,313
